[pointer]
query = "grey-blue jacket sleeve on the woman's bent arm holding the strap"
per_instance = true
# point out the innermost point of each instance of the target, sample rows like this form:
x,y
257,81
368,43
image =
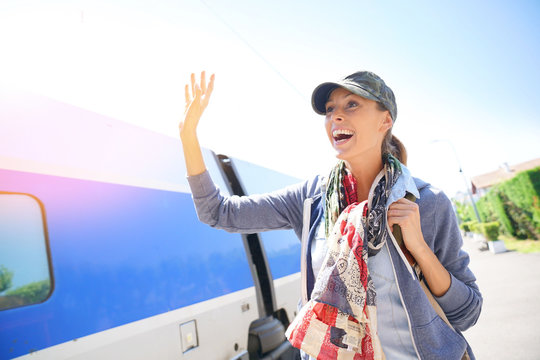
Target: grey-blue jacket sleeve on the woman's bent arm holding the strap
x,y
462,302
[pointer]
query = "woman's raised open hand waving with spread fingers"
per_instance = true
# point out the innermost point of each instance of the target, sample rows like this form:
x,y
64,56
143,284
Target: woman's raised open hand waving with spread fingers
x,y
197,98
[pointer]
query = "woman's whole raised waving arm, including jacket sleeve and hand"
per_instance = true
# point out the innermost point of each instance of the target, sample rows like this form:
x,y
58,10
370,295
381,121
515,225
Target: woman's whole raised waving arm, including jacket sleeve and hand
x,y
277,210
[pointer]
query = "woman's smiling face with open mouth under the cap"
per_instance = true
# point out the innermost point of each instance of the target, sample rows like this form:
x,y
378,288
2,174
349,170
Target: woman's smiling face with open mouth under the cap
x,y
355,126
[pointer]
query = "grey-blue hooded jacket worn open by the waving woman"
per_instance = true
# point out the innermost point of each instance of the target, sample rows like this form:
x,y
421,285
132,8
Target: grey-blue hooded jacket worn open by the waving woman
x,y
300,207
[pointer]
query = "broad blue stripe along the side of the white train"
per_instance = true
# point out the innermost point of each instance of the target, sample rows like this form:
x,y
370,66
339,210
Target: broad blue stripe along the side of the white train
x,y
123,253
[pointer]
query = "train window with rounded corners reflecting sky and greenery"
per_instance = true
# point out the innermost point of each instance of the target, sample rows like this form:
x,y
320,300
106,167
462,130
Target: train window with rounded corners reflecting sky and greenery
x,y
25,276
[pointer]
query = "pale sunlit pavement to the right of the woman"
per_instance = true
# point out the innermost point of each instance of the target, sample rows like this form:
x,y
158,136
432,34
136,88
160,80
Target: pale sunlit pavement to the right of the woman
x,y
509,326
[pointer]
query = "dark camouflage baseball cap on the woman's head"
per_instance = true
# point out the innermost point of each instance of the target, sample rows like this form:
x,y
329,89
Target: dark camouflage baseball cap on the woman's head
x,y
363,83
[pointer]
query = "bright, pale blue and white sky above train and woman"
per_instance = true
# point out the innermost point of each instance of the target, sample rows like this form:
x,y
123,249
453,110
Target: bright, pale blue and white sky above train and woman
x,y
465,74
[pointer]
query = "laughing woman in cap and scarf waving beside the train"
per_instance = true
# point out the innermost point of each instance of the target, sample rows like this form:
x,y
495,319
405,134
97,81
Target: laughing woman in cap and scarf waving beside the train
x,y
362,297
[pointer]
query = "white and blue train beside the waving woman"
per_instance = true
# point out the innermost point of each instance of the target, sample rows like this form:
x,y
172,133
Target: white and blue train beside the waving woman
x,y
102,255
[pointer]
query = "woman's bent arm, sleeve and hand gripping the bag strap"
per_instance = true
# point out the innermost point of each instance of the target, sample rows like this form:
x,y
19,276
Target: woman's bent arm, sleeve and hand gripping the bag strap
x,y
461,301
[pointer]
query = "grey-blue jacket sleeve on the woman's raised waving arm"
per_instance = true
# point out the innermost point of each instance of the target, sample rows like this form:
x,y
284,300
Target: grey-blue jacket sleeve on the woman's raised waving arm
x,y
281,209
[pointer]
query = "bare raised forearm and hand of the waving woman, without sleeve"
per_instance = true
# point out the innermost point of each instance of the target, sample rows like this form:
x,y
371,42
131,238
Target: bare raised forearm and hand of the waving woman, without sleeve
x,y
196,102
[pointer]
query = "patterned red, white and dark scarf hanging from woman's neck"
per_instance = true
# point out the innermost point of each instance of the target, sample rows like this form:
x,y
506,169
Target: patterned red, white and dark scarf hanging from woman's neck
x,y
340,320
